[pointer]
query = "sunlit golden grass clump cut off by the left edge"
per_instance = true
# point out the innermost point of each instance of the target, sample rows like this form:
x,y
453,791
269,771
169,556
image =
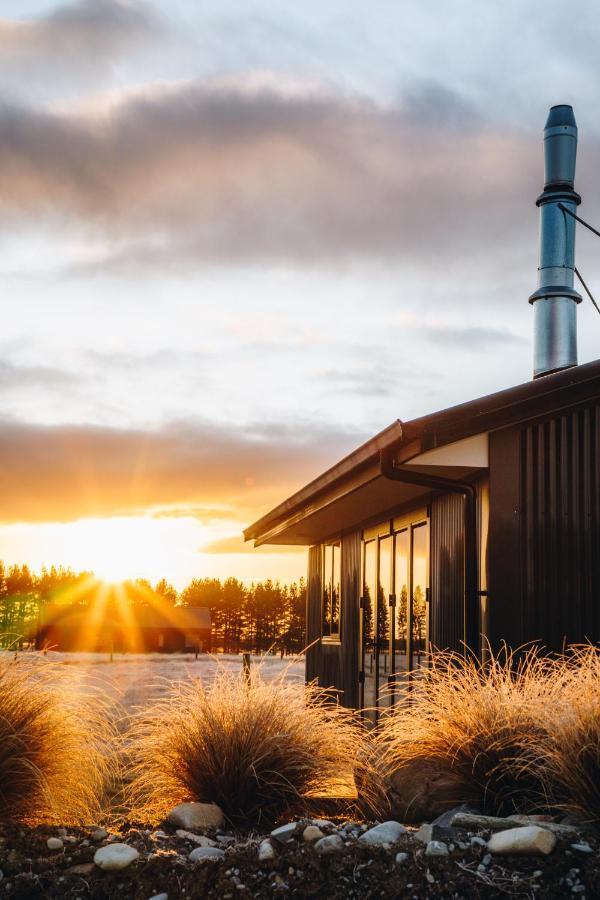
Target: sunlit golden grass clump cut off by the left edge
x,y
55,745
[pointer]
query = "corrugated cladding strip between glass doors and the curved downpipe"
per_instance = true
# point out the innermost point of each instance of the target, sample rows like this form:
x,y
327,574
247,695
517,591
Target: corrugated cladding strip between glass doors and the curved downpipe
x,y
447,572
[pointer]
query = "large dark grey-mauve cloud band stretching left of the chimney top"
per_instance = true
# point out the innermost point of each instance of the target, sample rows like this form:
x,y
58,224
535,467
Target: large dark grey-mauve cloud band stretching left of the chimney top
x,y
214,172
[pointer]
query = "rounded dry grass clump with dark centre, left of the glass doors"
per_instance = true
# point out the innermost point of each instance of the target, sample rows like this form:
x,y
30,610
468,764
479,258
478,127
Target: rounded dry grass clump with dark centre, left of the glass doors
x,y
260,750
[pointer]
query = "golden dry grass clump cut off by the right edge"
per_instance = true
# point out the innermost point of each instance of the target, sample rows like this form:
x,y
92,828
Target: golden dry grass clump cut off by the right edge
x,y
566,757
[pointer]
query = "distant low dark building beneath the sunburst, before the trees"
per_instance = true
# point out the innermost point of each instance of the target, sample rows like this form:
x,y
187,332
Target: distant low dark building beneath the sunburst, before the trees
x,y
124,628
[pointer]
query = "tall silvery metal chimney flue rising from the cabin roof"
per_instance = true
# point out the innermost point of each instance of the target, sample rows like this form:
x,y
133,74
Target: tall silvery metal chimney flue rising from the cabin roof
x,y
555,301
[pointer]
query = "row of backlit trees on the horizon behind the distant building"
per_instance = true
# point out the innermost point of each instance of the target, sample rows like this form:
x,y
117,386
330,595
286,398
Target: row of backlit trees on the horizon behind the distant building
x,y
255,618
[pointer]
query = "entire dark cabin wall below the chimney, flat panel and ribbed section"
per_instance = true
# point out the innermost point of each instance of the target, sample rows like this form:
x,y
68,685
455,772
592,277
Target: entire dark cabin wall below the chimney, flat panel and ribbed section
x,y
545,530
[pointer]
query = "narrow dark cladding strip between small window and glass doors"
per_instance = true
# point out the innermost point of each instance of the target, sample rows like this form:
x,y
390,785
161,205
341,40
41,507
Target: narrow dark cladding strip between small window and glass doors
x,y
350,621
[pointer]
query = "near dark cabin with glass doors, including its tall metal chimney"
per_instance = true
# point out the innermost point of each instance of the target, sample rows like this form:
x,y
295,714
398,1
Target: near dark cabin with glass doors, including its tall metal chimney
x,y
472,527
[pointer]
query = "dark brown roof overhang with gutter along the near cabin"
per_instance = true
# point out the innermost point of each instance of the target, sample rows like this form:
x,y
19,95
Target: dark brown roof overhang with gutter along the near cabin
x,y
354,490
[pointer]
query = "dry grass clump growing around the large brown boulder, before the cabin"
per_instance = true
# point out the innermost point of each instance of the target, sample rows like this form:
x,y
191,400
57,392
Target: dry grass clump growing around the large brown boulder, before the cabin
x,y
459,736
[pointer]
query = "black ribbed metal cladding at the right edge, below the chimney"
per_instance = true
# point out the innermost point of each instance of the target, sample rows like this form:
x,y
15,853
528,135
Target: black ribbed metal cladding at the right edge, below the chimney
x,y
560,528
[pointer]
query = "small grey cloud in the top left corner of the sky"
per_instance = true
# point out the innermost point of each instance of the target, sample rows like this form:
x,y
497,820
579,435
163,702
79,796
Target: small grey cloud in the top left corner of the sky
x,y
84,34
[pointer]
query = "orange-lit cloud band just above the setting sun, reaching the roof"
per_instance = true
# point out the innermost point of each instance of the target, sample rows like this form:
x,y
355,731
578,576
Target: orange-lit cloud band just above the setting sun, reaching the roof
x,y
62,473
